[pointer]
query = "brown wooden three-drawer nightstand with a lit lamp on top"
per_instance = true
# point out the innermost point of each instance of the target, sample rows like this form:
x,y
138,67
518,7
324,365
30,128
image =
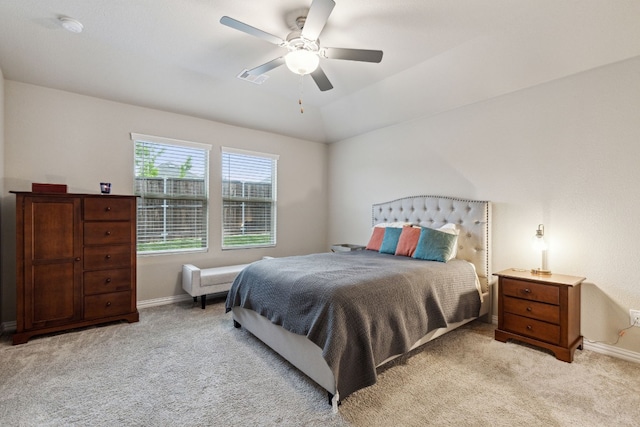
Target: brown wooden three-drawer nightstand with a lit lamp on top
x,y
542,310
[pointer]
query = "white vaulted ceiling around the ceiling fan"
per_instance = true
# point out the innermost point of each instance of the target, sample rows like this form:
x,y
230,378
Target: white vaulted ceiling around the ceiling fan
x,y
174,55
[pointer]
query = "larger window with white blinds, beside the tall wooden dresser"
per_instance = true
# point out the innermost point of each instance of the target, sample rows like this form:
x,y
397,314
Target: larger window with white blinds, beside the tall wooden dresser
x,y
171,178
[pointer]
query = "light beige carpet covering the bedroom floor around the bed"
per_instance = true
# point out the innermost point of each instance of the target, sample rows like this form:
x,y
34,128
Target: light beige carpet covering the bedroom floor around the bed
x,y
182,366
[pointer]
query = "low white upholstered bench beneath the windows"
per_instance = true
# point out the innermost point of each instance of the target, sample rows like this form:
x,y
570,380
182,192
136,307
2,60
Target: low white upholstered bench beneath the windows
x,y
200,282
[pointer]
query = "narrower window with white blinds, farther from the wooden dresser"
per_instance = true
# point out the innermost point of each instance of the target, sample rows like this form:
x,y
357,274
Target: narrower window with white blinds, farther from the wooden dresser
x,y
248,199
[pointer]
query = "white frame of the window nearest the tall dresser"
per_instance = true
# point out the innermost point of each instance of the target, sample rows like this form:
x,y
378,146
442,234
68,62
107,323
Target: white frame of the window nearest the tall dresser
x,y
205,198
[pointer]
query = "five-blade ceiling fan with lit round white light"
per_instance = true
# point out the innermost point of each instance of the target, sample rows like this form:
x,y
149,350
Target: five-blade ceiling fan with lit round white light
x,y
304,46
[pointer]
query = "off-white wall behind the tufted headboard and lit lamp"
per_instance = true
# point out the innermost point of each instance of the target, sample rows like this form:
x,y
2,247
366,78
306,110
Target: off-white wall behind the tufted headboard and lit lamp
x,y
564,153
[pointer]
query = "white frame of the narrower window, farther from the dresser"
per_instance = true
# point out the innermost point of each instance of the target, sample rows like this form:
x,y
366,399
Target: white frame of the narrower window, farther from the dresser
x,y
273,200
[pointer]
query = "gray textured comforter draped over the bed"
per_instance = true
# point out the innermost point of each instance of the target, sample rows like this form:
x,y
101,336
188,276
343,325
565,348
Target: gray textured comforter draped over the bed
x,y
359,307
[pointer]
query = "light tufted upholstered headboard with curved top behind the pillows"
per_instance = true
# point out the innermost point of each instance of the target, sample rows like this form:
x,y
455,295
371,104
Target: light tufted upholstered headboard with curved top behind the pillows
x,y
472,216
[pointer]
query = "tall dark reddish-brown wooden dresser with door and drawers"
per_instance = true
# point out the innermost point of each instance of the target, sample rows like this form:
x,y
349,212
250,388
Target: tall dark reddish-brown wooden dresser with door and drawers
x,y
75,261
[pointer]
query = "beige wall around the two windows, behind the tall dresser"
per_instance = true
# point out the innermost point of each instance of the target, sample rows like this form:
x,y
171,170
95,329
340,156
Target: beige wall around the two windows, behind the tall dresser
x,y
60,137
